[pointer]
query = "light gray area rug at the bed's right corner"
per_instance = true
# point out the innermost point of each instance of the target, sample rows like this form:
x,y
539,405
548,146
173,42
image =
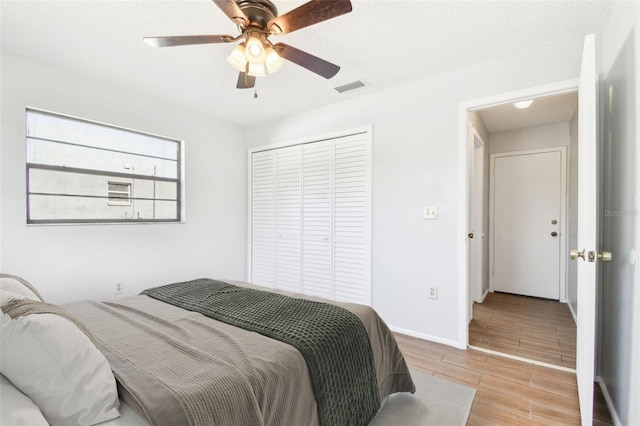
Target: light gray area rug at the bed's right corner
x,y
436,402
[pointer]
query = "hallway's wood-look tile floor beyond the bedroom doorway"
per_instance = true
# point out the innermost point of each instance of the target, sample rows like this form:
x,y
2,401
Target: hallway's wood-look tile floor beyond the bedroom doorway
x,y
528,327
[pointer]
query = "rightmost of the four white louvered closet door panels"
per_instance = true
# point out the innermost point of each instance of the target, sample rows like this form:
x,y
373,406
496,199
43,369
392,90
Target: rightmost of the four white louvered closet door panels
x,y
352,219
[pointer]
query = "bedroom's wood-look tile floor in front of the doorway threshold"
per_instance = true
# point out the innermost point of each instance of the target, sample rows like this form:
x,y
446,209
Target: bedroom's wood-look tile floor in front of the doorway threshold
x,y
508,392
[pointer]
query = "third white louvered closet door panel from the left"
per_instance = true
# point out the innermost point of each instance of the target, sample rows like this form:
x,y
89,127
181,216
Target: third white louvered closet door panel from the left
x,y
317,223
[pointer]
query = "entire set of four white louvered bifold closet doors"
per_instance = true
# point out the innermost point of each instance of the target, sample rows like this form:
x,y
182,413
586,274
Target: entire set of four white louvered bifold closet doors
x,y
311,218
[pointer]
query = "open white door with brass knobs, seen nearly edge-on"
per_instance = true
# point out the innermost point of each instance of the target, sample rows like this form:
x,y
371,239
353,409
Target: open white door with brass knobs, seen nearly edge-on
x,y
587,227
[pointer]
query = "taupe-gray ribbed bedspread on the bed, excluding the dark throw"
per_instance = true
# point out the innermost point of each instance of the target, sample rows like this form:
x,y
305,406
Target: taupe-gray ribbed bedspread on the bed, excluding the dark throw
x,y
177,367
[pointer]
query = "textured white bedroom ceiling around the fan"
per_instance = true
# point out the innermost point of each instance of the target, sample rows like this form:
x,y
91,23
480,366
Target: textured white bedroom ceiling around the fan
x,y
385,43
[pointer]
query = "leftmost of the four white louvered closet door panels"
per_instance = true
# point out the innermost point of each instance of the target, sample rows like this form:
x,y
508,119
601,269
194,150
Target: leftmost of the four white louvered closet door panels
x,y
263,245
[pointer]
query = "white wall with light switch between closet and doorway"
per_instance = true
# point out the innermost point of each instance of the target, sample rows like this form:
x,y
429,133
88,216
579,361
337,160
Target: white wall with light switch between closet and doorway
x,y
415,164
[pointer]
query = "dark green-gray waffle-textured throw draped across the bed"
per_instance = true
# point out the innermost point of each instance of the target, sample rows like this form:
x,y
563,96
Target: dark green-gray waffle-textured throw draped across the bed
x,y
332,340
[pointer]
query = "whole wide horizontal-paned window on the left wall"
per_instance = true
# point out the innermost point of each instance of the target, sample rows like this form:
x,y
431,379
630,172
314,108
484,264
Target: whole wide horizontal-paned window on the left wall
x,y
80,171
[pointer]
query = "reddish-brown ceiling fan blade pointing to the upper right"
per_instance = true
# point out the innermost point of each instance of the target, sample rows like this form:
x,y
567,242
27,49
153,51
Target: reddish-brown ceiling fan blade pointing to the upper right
x,y
308,14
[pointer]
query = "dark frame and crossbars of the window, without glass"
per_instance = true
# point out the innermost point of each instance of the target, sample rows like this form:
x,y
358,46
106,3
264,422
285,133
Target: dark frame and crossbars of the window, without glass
x,y
110,175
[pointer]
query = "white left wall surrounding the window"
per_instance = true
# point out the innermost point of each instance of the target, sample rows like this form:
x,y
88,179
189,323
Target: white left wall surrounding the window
x,y
85,261
